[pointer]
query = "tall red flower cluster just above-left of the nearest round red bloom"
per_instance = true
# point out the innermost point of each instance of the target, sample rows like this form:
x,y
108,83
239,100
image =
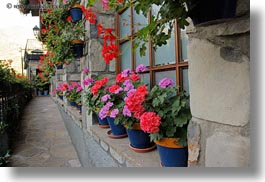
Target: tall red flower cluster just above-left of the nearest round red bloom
x,y
135,100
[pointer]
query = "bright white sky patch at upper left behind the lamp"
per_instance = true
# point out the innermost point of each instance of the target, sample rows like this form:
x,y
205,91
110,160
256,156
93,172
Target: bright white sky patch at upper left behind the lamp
x,y
15,29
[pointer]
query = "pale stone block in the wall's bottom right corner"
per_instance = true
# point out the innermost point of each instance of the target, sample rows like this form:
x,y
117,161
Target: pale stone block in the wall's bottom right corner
x,y
225,150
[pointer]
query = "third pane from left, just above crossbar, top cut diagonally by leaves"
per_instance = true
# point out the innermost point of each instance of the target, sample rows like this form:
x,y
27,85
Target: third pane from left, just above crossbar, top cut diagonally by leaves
x,y
166,54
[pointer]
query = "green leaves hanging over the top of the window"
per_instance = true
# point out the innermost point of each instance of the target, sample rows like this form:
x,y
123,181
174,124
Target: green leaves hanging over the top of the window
x,y
161,24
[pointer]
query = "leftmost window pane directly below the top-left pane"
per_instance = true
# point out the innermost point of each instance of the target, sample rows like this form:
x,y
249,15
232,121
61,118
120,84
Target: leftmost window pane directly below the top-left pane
x,y
125,49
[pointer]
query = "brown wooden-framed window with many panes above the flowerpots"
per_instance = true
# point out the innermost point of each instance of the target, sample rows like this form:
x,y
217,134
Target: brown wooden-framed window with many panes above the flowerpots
x,y
170,60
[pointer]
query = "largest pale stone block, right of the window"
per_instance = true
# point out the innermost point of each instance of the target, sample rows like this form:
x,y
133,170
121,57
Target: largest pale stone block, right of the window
x,y
219,89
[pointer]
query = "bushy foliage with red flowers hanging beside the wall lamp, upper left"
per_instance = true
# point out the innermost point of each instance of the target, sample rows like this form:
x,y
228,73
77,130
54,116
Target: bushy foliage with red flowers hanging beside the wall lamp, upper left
x,y
61,33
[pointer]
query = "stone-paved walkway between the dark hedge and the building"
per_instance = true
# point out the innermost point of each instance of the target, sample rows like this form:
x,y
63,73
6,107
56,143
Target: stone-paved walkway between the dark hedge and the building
x,y
43,140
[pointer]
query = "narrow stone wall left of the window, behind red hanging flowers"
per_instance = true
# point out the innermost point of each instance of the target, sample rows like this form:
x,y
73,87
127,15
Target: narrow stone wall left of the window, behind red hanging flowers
x,y
93,58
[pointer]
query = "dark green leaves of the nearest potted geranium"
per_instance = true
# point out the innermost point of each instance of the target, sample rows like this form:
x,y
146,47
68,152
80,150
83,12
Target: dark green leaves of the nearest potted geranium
x,y
174,111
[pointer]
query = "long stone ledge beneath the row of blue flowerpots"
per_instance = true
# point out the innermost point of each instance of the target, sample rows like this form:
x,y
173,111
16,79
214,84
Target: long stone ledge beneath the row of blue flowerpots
x,y
117,148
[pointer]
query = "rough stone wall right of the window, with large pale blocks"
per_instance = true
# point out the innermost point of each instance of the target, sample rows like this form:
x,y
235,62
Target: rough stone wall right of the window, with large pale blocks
x,y
219,75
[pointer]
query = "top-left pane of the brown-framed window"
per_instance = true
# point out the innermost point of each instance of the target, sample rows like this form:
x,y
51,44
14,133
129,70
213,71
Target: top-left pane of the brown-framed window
x,y
125,23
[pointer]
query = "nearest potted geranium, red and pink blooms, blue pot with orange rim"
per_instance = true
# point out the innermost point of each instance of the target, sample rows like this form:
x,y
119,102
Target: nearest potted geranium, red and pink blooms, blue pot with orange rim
x,y
164,113
